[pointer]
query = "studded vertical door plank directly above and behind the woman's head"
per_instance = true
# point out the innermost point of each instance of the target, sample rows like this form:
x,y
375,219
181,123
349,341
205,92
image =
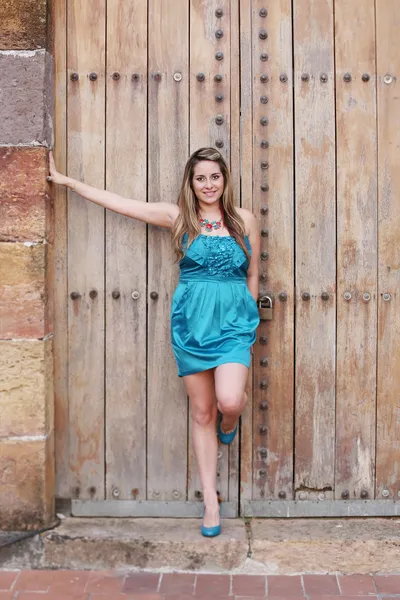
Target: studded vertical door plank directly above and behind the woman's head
x,y
204,131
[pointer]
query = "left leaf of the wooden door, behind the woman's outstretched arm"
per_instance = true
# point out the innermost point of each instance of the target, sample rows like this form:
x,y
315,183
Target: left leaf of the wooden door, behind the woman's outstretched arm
x,y
148,82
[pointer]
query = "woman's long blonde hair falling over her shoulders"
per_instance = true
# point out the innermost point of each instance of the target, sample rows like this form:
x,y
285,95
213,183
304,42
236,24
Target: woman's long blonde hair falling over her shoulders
x,y
188,219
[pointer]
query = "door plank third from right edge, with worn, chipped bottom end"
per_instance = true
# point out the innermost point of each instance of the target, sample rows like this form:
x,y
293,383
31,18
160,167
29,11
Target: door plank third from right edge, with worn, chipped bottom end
x,y
315,247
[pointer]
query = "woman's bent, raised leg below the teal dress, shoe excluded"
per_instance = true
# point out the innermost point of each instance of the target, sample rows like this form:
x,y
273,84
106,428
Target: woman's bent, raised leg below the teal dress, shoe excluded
x,y
230,383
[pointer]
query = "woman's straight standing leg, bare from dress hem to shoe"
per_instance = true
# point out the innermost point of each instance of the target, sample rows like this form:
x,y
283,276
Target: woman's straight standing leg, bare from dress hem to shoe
x,y
201,391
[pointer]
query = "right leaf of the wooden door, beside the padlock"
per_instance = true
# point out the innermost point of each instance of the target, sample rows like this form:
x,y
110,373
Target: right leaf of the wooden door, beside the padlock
x,y
325,424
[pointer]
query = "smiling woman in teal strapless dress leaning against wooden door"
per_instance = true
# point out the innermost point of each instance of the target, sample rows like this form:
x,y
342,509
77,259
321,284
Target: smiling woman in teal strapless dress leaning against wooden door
x,y
214,312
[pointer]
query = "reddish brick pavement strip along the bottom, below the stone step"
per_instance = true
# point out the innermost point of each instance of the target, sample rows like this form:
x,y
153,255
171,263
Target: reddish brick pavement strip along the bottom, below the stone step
x,y
116,585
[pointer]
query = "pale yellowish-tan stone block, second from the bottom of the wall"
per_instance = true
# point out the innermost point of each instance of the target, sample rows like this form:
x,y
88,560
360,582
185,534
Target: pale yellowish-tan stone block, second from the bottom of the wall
x,y
26,388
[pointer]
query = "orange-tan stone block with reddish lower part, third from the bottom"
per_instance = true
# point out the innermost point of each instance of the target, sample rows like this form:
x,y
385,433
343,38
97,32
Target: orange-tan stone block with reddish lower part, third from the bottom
x,y
25,309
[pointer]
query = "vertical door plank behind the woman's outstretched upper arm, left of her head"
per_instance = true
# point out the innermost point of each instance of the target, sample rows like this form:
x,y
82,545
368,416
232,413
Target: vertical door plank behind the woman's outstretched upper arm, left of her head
x,y
168,146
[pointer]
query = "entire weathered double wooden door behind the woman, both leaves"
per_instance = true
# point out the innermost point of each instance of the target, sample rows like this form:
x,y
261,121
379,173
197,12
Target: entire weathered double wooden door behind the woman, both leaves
x,y
300,97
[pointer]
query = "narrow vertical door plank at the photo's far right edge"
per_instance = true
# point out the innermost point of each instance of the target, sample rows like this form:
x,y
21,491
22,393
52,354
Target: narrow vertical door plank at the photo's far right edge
x,y
388,411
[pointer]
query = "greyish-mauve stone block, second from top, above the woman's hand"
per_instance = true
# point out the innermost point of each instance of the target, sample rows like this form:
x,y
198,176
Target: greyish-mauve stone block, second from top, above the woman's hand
x,y
26,98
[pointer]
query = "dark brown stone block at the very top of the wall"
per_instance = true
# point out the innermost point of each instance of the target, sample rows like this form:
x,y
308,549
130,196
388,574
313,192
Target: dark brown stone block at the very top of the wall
x,y
23,24
